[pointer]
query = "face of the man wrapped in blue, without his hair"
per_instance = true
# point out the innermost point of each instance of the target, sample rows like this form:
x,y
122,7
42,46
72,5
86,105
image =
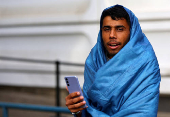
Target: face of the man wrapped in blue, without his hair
x,y
115,35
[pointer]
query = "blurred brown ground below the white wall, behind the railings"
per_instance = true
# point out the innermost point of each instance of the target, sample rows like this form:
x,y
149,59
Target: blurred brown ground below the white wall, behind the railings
x,y
40,96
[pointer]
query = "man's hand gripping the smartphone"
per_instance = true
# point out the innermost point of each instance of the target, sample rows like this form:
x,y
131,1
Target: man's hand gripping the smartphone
x,y
74,102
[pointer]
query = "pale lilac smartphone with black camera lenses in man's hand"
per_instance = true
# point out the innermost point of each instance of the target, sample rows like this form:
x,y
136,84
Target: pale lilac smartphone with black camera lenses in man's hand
x,y
73,85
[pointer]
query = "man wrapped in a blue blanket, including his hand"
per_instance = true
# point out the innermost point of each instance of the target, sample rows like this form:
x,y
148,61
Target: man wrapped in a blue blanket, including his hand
x,y
121,74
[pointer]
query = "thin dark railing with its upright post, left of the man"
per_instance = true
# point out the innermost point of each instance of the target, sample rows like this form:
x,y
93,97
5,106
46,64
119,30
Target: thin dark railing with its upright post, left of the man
x,y
57,71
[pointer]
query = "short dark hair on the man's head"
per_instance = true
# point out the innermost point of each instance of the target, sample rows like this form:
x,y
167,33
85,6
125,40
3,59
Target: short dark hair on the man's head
x,y
117,12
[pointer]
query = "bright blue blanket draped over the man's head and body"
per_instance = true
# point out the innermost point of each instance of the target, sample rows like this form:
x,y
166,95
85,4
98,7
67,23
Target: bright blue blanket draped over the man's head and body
x,y
126,85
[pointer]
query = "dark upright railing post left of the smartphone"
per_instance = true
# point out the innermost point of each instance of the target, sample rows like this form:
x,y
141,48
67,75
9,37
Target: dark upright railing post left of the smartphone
x,y
57,63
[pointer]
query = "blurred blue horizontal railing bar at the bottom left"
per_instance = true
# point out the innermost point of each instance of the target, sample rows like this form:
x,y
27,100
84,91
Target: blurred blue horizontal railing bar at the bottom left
x,y
34,107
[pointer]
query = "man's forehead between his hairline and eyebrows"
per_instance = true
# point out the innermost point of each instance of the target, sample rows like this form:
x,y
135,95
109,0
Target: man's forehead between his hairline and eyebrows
x,y
108,21
